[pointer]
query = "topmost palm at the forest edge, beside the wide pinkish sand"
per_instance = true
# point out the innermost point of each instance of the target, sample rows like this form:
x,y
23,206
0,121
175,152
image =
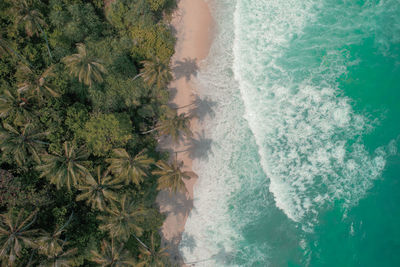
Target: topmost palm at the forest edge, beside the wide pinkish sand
x,y
156,72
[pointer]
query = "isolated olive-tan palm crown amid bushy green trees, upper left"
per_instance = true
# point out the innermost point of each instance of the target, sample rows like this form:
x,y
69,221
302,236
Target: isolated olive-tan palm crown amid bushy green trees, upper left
x,y
85,67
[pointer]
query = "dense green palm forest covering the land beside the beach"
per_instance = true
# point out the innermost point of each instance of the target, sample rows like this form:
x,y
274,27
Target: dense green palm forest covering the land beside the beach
x,y
83,101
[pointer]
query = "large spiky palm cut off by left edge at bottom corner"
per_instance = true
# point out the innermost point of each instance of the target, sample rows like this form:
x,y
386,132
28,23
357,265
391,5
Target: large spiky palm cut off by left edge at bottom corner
x,y
14,234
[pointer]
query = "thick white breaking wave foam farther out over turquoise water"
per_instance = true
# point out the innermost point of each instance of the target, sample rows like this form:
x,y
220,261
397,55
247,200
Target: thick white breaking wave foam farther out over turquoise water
x,y
306,131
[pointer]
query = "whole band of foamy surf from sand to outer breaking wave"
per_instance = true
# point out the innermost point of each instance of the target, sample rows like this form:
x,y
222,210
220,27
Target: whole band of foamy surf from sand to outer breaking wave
x,y
286,141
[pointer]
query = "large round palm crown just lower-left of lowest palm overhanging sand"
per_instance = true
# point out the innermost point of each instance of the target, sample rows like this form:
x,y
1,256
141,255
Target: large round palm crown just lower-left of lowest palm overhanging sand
x,y
123,220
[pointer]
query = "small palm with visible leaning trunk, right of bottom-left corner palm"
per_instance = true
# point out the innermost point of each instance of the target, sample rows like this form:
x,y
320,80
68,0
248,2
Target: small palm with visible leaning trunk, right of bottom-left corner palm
x,y
50,243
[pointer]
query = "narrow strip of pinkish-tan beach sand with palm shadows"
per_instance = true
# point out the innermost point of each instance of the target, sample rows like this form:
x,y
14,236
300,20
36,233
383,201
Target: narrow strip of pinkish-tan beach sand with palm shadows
x,y
193,24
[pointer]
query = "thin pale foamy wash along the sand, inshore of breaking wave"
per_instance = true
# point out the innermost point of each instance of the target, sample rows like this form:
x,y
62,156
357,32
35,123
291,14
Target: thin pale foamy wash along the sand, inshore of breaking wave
x,y
210,239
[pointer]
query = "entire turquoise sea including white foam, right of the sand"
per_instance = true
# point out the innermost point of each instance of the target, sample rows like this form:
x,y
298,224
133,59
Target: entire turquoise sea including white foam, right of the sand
x,y
304,168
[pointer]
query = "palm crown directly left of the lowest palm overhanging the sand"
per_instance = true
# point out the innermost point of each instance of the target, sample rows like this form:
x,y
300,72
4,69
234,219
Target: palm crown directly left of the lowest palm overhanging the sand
x,y
129,168
